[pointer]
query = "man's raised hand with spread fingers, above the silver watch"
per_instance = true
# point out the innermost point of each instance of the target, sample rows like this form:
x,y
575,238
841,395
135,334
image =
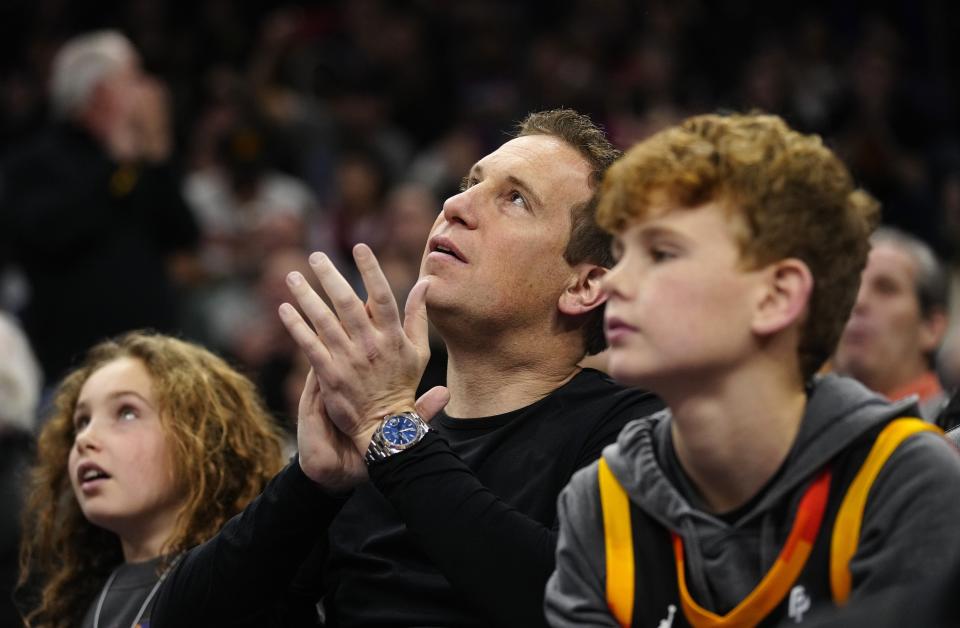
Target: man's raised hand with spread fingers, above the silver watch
x,y
367,362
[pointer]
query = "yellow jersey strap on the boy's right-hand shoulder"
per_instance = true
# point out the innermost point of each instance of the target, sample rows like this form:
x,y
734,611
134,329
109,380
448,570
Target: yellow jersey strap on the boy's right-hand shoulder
x,y
846,528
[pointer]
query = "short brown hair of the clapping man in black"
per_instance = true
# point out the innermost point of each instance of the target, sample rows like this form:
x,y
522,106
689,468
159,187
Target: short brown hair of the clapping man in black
x,y
588,242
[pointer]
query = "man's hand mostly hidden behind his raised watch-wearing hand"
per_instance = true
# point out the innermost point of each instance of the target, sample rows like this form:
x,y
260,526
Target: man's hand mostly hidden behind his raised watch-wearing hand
x,y
327,456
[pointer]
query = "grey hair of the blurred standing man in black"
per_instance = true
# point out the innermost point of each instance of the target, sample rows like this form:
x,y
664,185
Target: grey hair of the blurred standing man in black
x,y
81,63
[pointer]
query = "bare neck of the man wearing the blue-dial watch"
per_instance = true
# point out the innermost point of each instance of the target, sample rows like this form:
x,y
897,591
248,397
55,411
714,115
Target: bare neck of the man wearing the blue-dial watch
x,y
504,376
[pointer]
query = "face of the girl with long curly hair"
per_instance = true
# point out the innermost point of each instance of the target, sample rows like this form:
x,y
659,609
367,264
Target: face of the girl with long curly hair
x,y
120,465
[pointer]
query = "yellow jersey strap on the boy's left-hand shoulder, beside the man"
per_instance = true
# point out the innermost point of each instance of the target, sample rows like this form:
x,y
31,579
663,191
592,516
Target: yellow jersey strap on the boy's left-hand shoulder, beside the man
x,y
618,541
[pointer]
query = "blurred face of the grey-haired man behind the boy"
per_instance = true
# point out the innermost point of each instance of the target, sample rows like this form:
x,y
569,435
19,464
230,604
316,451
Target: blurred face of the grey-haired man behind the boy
x,y
887,337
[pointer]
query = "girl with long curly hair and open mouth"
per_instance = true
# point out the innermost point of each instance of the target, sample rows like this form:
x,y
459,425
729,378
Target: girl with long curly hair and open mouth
x,y
152,445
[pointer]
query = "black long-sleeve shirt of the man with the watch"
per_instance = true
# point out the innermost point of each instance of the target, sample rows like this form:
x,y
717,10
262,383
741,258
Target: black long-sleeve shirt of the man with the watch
x,y
457,531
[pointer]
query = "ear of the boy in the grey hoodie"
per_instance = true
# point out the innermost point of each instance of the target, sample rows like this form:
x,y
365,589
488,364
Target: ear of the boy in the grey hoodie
x,y
785,296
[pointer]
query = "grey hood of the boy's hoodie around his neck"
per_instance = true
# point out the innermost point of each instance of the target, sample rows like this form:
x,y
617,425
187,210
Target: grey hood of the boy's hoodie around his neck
x,y
839,410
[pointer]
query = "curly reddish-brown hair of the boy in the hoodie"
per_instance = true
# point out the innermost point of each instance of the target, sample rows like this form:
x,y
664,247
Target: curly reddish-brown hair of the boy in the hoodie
x,y
791,196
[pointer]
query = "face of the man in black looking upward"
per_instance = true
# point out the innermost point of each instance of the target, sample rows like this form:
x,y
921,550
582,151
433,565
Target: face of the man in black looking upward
x,y
495,253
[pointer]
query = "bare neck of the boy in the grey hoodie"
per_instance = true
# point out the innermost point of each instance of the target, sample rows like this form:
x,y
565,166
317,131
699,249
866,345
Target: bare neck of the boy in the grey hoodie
x,y
731,436
